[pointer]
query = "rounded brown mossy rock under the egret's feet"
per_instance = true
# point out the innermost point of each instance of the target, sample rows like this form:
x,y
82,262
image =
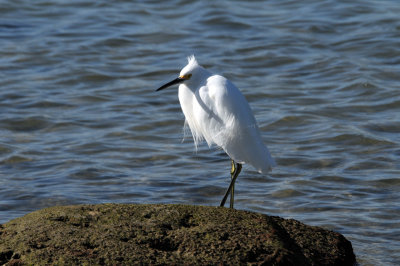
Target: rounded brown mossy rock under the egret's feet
x,y
166,234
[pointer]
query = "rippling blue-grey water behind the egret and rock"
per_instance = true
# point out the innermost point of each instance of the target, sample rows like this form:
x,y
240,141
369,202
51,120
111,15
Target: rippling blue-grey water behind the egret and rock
x,y
80,121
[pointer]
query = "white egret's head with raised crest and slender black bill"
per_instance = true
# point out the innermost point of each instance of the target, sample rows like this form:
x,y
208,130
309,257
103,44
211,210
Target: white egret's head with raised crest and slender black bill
x,y
190,73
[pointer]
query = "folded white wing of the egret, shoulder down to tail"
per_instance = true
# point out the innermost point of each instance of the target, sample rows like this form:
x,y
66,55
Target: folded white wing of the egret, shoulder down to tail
x,y
229,122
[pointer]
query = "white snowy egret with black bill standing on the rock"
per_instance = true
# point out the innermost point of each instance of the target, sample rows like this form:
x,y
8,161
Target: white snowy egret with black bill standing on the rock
x,y
216,111
